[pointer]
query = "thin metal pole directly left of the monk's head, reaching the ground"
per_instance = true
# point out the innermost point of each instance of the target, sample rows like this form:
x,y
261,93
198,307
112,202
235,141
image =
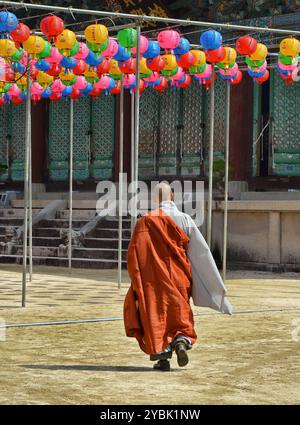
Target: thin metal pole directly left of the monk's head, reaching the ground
x,y
121,151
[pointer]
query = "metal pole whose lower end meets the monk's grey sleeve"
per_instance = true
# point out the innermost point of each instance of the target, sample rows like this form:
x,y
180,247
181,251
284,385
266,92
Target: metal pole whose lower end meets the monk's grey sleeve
x,y
211,155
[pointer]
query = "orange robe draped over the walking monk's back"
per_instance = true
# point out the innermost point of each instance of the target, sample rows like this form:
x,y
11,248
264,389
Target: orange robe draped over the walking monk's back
x,y
157,307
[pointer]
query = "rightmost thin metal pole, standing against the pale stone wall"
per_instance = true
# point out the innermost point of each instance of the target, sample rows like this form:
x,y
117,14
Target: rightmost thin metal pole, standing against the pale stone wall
x,y
227,138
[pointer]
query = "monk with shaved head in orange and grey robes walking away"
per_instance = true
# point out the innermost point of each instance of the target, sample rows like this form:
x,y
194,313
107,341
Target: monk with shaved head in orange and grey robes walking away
x,y
164,256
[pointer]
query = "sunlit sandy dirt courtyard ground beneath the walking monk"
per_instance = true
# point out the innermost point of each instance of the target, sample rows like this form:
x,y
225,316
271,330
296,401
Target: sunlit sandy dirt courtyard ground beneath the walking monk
x,y
251,357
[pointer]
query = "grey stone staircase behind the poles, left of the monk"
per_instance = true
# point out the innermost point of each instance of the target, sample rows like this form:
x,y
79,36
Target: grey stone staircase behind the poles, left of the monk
x,y
98,250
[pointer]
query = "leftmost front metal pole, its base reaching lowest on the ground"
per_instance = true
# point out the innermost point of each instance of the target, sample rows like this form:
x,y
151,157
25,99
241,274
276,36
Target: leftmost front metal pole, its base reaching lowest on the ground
x,y
26,182
